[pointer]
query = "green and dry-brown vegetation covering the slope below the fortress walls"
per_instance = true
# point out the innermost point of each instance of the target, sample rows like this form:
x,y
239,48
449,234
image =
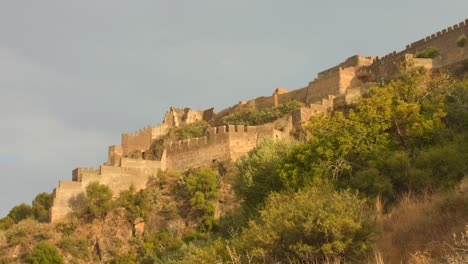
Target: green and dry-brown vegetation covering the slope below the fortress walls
x,y
298,202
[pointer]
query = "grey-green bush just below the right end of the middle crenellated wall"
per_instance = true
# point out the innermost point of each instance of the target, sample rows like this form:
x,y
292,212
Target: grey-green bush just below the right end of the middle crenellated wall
x,y
258,174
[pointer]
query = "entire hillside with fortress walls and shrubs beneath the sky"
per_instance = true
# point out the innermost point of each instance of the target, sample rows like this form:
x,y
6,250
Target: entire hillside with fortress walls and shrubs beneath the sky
x,y
365,164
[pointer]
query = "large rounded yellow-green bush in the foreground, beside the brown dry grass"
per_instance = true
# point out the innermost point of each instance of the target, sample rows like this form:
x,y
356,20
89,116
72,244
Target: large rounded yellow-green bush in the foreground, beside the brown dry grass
x,y
310,225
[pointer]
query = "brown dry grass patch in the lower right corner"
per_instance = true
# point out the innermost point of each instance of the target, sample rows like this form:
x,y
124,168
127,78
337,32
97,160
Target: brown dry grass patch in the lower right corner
x,y
421,229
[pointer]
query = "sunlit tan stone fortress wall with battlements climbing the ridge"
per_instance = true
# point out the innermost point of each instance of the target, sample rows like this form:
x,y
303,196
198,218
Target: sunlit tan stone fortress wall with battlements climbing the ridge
x,y
339,85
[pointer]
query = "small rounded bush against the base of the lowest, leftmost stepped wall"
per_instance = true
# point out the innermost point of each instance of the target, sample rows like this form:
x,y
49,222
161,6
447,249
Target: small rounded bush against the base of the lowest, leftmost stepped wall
x,y
98,200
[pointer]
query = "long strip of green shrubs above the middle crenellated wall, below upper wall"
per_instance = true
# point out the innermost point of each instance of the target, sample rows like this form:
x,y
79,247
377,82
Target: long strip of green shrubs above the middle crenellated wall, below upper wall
x,y
254,117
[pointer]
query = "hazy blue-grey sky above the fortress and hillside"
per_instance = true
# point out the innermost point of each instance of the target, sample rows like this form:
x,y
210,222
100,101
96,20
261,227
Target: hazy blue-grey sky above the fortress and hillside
x,y
74,75
